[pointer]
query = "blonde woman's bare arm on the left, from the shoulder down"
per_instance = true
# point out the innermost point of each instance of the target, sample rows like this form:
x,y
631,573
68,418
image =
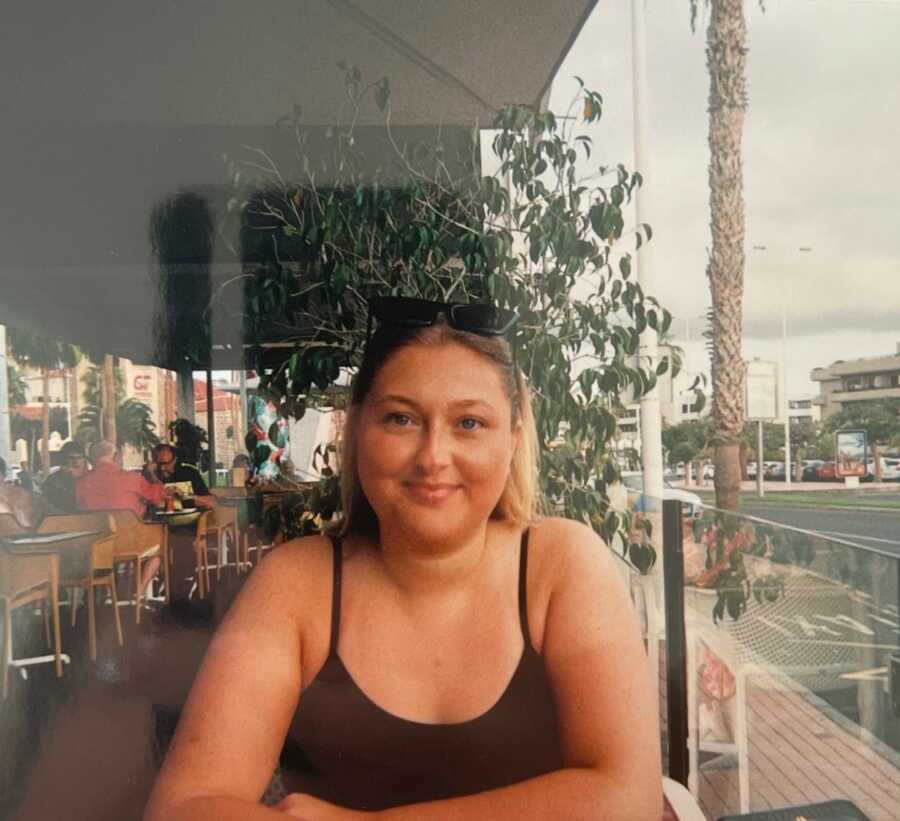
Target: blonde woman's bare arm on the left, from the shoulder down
x,y
233,726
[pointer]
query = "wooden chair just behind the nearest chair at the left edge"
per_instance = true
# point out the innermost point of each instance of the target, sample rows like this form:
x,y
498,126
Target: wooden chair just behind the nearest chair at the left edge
x,y
86,564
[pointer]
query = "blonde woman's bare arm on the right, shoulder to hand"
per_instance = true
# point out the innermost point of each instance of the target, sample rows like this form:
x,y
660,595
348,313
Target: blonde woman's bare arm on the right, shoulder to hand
x,y
606,703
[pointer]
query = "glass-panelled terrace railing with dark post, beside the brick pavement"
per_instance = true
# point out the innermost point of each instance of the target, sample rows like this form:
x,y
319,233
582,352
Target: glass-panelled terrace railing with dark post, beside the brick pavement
x,y
783,674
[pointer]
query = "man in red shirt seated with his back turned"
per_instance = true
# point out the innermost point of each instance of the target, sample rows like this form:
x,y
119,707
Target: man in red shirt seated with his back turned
x,y
109,487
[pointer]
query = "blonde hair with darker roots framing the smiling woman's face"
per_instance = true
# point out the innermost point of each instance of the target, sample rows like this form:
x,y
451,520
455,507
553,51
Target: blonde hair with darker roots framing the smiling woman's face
x,y
519,501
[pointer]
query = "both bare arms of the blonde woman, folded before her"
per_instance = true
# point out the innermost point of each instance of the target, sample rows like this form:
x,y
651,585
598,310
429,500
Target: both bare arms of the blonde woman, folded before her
x,y
230,737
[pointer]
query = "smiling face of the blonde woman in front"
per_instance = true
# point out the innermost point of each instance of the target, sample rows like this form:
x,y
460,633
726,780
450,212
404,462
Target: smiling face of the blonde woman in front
x,y
435,442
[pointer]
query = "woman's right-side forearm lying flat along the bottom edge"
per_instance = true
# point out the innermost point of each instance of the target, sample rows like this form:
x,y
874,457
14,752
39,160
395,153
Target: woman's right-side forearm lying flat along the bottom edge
x,y
573,793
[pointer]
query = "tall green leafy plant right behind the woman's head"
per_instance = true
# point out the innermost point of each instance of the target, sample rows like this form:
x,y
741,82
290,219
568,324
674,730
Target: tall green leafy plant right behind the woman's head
x,y
374,211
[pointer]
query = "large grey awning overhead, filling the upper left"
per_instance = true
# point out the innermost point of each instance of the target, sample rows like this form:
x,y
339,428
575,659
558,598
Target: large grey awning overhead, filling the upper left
x,y
111,109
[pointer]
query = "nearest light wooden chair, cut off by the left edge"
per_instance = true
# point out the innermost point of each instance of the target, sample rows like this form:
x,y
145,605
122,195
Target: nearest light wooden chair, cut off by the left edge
x,y
26,577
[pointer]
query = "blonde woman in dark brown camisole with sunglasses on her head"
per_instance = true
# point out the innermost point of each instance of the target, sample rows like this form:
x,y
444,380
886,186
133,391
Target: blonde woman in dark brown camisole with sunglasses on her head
x,y
449,655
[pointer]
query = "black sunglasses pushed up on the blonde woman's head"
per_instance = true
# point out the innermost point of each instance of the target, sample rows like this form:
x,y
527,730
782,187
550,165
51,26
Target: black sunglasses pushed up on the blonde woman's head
x,y
410,312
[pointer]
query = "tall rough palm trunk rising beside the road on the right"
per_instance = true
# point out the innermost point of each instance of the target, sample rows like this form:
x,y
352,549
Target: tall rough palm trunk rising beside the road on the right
x,y
726,59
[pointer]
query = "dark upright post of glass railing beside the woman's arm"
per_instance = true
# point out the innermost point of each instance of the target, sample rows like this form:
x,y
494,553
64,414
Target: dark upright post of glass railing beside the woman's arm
x,y
676,641
